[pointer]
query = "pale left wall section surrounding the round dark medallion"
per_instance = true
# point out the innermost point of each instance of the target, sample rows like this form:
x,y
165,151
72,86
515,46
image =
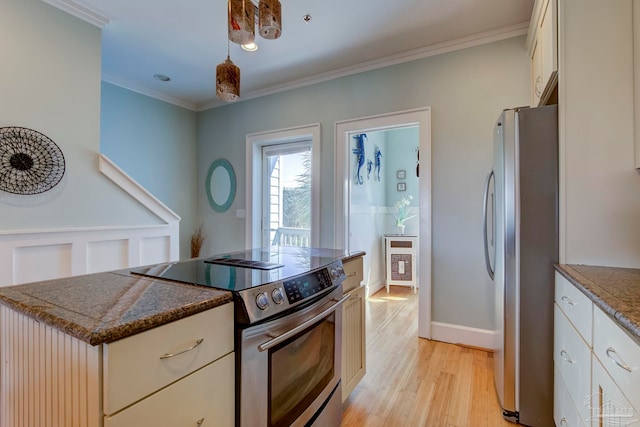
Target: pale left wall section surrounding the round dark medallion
x,y
51,83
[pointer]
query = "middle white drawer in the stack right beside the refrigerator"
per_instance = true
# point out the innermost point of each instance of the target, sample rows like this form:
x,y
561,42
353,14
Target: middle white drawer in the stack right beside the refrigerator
x,y
572,359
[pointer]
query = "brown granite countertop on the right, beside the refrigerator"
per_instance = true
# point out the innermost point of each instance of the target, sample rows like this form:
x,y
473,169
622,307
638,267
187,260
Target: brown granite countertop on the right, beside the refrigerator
x,y
615,290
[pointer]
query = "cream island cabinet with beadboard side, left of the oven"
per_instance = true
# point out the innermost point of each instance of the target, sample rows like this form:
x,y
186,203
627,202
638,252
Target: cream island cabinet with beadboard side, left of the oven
x,y
178,374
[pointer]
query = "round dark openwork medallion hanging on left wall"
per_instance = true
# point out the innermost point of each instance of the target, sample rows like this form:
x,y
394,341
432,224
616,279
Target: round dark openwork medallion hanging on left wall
x,y
30,162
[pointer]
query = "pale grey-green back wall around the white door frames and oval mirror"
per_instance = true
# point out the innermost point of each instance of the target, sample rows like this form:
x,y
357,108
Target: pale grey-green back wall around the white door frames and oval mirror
x,y
466,90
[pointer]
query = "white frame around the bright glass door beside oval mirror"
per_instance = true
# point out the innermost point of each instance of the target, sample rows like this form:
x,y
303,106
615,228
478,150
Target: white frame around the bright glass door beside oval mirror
x,y
255,142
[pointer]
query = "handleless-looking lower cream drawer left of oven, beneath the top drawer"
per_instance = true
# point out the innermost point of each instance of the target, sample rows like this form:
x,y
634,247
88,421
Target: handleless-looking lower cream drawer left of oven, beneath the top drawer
x,y
207,395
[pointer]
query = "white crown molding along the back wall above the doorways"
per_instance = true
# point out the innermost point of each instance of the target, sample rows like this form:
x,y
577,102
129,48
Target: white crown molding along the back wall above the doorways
x,y
408,56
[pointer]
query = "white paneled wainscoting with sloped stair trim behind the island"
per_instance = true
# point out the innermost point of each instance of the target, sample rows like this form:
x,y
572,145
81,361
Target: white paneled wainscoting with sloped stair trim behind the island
x,y
43,254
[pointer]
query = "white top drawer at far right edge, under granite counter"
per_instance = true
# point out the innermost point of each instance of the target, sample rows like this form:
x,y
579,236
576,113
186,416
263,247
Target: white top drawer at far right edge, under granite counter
x,y
614,347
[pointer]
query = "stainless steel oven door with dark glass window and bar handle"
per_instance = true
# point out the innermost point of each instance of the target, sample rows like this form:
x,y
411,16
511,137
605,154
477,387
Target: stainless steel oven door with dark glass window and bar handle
x,y
289,368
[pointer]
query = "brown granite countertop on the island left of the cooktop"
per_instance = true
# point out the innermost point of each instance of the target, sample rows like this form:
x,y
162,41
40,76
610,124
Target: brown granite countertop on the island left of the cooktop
x,y
105,307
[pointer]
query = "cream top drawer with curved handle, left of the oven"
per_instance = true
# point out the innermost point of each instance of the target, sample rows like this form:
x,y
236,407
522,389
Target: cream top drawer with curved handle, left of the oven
x,y
139,356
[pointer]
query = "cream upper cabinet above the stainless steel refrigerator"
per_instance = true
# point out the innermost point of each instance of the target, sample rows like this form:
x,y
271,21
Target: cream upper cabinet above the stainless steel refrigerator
x,y
542,41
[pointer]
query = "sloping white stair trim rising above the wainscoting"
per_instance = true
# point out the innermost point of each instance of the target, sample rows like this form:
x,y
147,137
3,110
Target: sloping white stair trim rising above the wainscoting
x,y
128,184
